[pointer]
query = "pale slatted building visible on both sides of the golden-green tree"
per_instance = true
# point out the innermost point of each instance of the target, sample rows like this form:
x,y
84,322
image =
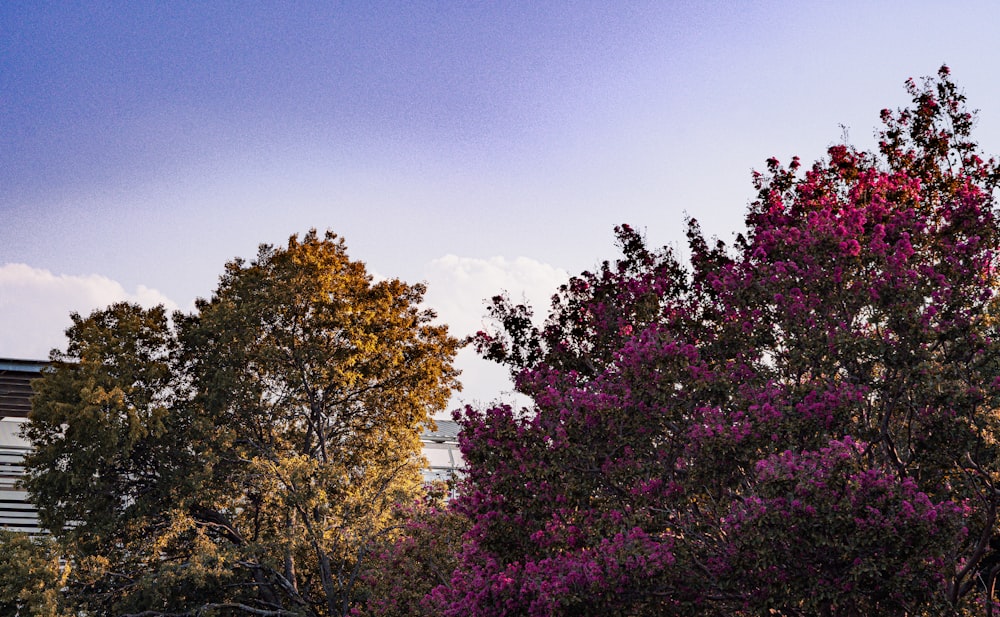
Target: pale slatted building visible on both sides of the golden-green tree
x,y
16,512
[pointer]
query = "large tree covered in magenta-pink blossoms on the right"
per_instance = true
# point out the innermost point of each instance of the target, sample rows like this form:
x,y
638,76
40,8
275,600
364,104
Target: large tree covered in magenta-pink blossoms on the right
x,y
802,424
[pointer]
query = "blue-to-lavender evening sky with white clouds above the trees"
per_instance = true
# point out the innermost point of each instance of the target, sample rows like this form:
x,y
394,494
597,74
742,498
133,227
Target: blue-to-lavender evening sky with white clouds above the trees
x,y
475,146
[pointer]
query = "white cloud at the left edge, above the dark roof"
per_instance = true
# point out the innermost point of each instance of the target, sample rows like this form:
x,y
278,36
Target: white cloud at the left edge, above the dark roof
x,y
35,306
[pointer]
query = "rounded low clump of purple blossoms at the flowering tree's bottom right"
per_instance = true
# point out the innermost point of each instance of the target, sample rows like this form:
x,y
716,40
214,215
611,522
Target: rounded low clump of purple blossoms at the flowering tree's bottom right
x,y
842,536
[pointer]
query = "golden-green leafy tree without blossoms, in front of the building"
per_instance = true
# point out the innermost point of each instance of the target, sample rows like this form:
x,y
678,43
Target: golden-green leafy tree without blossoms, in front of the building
x,y
247,457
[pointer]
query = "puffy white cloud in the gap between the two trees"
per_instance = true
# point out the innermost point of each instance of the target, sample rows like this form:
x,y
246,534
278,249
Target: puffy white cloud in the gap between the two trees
x,y
458,289
